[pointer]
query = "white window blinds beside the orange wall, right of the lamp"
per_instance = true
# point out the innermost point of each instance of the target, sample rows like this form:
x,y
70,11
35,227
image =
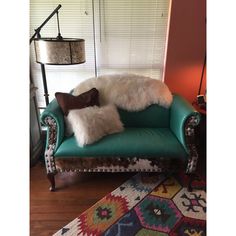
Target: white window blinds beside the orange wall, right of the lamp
x,y
133,36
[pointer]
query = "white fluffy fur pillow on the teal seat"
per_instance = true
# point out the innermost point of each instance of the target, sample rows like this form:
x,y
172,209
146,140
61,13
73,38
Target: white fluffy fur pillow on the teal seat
x,y
92,123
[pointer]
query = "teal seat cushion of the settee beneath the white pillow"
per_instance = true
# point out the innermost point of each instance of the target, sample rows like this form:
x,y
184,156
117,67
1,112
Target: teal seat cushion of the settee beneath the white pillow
x,y
139,142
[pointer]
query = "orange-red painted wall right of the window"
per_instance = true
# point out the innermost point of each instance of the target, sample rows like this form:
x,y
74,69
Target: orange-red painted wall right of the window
x,y
186,48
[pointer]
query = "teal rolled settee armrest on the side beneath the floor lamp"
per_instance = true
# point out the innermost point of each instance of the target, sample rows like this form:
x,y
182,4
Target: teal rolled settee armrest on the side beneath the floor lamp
x,y
53,118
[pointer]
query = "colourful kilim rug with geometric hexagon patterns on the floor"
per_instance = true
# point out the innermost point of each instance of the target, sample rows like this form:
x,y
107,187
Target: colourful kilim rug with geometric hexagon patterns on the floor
x,y
145,205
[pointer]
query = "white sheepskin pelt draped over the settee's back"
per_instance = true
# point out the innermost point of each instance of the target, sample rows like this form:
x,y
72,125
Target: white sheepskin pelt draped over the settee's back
x,y
128,91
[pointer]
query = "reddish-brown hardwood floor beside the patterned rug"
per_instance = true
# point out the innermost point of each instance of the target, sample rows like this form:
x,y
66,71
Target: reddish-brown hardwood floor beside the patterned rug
x,y
50,211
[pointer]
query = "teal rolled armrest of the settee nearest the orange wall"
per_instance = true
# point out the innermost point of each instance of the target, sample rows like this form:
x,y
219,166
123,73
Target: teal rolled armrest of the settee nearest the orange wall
x,y
182,114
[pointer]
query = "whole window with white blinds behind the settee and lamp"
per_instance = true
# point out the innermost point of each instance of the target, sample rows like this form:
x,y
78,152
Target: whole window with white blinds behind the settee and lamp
x,y
120,36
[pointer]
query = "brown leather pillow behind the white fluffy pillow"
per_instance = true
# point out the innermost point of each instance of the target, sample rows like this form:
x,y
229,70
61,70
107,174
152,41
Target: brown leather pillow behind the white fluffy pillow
x,y
69,102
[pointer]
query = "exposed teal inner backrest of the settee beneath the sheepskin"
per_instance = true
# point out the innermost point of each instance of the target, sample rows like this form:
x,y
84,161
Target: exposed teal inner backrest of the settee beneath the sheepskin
x,y
153,116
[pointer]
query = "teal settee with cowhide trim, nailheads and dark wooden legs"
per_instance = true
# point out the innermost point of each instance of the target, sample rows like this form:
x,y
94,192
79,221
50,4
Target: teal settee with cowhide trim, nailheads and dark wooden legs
x,y
154,140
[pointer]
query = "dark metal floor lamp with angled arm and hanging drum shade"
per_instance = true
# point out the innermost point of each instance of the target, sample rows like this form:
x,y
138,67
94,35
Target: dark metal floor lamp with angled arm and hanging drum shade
x,y
56,51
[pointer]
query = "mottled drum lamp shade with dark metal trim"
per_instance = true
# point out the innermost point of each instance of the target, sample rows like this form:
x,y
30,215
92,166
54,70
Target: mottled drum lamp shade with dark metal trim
x,y
54,51
